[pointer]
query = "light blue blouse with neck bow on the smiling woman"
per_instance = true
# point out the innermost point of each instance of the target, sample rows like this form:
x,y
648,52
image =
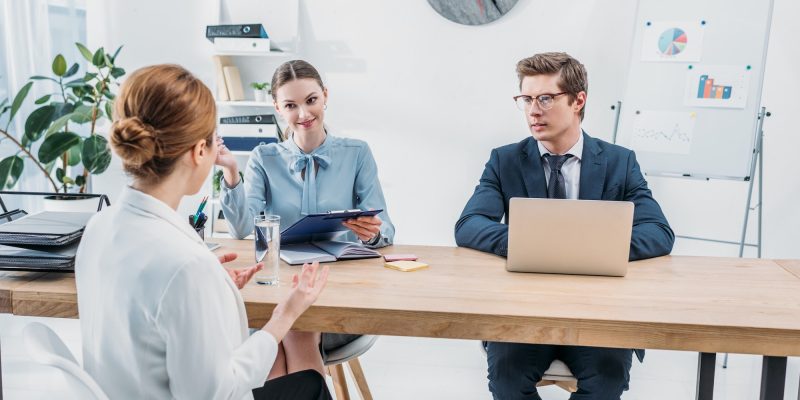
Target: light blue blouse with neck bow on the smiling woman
x,y
347,178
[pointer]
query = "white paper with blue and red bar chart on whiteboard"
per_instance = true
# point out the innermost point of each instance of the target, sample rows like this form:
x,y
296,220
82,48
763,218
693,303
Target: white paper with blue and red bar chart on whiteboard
x,y
721,86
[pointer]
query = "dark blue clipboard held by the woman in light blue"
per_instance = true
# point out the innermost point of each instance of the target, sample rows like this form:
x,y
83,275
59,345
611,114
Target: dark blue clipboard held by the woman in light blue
x,y
323,226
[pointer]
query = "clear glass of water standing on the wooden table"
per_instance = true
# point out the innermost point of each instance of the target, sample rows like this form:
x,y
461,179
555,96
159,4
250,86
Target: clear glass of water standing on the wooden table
x,y
268,247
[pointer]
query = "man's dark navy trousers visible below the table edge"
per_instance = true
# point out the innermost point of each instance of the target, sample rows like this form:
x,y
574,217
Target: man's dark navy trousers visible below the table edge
x,y
514,370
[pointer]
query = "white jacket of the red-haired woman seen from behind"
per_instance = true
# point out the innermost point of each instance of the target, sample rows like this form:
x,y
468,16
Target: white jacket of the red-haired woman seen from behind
x,y
160,318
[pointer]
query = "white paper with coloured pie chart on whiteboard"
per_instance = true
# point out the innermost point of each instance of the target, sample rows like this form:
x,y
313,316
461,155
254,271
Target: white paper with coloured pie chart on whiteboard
x,y
672,41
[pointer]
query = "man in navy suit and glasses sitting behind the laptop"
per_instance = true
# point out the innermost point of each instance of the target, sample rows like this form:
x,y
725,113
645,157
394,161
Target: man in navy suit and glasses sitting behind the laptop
x,y
559,161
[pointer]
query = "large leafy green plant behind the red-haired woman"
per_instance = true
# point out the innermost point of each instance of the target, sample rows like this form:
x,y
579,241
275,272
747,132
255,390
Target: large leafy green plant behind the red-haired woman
x,y
60,136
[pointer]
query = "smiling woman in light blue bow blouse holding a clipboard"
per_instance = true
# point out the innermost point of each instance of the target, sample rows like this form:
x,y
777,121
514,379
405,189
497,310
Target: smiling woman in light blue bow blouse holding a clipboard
x,y
277,178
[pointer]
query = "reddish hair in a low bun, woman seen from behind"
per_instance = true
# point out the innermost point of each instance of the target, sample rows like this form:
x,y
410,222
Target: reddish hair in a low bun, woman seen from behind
x,y
162,111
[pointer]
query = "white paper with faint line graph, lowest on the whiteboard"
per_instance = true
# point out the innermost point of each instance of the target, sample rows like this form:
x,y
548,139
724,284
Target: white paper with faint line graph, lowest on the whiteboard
x,y
663,131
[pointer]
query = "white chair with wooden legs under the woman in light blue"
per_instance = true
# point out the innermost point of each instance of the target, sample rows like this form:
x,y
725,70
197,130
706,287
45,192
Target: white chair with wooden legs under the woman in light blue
x,y
348,354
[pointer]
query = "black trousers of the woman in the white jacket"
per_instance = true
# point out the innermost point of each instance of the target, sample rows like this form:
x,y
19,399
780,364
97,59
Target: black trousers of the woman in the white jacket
x,y
303,385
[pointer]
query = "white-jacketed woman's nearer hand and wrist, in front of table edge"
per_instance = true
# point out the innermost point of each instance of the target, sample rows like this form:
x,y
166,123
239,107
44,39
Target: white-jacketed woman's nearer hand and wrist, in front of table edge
x,y
305,291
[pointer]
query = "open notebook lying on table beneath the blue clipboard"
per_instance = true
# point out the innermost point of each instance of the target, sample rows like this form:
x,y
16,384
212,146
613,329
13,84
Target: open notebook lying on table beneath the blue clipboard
x,y
324,251
